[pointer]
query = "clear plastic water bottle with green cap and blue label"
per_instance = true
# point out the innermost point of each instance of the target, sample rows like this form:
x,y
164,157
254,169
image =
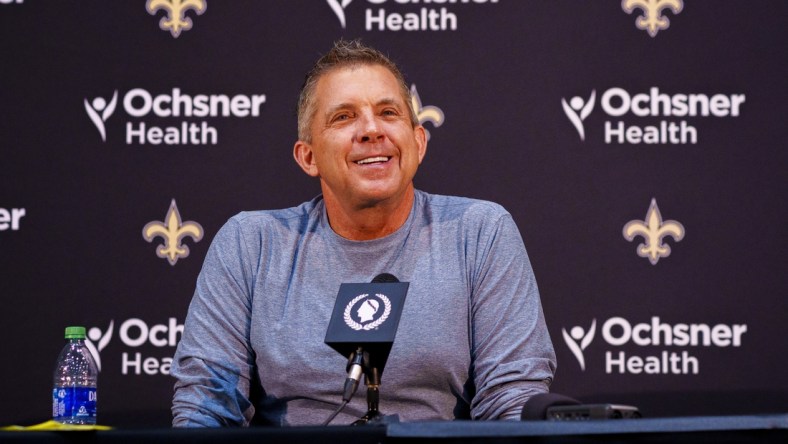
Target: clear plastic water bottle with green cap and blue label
x,y
74,392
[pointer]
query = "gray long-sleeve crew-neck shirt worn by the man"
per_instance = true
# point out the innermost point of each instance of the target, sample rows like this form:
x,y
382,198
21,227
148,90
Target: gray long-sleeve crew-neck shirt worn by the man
x,y
471,343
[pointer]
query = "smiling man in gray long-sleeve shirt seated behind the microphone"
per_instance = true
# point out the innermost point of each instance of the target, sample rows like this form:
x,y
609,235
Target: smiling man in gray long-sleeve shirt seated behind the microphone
x,y
472,341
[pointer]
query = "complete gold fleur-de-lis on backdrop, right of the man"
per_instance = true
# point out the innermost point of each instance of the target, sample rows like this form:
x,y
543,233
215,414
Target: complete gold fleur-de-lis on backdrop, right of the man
x,y
653,230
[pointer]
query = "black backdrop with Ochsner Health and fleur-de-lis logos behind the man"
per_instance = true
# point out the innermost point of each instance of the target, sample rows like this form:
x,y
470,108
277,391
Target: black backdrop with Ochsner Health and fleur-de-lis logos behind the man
x,y
639,146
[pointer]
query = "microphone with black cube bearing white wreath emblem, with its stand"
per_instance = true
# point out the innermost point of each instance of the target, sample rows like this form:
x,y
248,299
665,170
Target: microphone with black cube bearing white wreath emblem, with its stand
x,y
362,327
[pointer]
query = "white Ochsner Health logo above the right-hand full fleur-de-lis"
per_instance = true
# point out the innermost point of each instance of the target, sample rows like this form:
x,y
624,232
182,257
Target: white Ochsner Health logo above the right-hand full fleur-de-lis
x,y
652,117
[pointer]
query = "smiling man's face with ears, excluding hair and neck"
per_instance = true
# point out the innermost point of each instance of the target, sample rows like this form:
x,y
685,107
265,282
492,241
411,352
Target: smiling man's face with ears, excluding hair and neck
x,y
363,146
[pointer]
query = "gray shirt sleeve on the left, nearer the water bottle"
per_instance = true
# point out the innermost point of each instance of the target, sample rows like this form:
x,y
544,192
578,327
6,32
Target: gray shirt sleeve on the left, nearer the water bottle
x,y
214,361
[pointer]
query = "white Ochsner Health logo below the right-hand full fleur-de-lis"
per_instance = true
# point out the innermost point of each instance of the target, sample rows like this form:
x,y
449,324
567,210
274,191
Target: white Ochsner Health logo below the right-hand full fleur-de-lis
x,y
666,346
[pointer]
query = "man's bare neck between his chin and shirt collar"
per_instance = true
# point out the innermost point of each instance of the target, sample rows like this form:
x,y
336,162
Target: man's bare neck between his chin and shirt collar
x,y
369,222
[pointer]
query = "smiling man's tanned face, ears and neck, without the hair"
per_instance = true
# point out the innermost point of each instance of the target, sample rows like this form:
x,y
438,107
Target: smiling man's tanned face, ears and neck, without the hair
x,y
361,140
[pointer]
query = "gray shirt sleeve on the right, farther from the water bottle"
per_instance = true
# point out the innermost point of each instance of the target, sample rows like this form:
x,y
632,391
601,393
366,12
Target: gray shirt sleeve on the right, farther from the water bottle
x,y
513,357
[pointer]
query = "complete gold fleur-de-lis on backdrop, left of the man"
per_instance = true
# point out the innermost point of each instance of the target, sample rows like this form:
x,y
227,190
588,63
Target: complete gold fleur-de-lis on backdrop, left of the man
x,y
172,231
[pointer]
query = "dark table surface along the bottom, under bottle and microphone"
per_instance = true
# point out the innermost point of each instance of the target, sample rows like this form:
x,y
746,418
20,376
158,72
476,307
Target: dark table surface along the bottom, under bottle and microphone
x,y
725,429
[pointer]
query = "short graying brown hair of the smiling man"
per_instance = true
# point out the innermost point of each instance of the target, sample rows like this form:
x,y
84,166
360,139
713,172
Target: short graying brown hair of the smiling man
x,y
344,54
